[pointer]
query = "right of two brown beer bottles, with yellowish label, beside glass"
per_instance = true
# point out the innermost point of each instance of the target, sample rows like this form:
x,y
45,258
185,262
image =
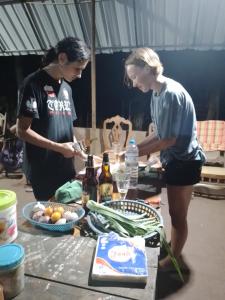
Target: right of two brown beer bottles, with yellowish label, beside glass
x,y
105,180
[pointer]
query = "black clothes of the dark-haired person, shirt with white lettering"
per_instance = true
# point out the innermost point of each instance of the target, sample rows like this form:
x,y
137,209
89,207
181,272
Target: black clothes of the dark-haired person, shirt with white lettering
x,y
50,105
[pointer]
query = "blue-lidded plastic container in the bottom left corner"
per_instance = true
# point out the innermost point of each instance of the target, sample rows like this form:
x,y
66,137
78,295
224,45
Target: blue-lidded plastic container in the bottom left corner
x,y
12,269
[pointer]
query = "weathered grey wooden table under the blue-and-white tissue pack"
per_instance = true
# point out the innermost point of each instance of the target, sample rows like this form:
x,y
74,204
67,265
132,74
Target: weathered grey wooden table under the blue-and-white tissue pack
x,y
58,266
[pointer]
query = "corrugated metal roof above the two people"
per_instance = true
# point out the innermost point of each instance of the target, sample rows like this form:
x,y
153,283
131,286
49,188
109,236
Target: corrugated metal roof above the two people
x,y
31,27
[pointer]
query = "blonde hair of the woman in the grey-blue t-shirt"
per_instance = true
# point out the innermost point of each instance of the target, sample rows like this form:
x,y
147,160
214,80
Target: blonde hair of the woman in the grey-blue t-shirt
x,y
143,57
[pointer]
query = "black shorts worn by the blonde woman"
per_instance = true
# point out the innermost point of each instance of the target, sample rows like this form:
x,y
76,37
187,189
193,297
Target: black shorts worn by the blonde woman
x,y
178,172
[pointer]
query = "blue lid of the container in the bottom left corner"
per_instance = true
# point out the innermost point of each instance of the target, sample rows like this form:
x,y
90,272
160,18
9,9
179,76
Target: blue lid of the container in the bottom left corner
x,y
11,256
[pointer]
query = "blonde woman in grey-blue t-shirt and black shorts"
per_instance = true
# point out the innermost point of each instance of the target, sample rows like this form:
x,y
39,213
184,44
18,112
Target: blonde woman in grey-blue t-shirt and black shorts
x,y
173,114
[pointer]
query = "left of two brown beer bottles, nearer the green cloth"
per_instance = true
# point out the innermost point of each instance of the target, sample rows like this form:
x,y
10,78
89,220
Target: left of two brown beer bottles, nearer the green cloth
x,y
89,184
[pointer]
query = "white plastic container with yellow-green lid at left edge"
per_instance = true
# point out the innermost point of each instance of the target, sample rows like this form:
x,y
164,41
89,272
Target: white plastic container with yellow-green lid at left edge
x,y
8,221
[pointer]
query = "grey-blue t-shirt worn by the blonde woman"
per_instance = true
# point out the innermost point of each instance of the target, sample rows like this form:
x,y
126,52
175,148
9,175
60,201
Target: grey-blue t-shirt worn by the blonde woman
x,y
173,114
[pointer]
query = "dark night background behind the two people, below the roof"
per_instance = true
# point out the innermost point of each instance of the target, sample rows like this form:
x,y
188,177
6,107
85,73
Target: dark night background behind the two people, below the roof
x,y
201,72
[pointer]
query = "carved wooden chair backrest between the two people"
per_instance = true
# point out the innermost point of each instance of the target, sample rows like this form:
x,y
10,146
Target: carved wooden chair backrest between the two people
x,y
120,131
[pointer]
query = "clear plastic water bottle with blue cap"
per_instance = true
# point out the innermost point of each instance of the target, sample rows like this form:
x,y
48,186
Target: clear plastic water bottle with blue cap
x,y
131,162
